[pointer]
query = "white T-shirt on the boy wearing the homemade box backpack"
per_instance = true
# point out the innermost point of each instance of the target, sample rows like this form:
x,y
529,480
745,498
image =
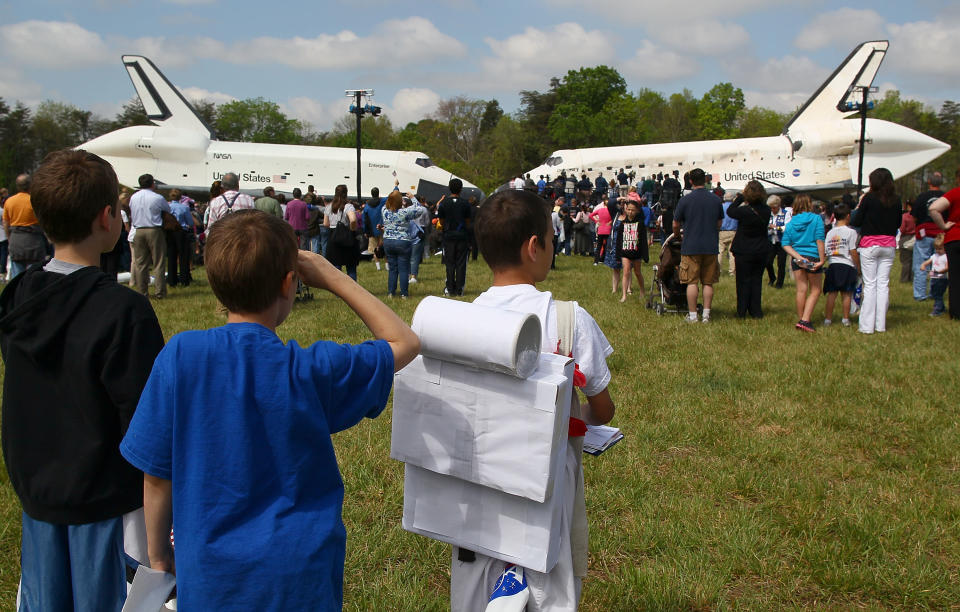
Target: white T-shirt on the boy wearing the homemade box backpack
x,y
590,347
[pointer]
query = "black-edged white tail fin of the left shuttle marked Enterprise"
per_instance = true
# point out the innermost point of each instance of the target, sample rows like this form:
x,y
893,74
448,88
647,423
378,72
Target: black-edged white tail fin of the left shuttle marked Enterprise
x,y
163,102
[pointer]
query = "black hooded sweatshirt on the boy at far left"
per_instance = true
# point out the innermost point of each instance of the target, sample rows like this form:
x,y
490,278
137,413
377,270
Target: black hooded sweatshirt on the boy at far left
x,y
78,349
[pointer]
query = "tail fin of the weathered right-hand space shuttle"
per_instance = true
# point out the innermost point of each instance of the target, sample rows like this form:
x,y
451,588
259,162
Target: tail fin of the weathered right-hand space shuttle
x,y
829,102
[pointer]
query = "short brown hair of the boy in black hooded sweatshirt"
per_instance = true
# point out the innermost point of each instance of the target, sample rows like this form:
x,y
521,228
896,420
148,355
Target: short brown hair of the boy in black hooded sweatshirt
x,y
69,190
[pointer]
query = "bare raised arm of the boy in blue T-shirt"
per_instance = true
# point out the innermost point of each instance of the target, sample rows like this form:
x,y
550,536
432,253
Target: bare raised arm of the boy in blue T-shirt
x,y
377,316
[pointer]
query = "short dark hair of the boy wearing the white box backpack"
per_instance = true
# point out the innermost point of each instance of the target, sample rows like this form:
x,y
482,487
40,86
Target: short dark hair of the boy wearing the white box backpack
x,y
506,220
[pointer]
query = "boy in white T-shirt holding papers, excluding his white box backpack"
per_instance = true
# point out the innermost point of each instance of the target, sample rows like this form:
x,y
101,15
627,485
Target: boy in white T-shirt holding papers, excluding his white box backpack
x,y
514,233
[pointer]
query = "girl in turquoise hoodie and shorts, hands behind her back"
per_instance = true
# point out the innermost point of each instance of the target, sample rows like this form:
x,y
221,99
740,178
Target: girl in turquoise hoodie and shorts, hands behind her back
x,y
803,240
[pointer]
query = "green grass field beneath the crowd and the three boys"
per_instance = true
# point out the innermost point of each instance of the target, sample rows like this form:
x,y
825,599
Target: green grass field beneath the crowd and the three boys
x,y
763,468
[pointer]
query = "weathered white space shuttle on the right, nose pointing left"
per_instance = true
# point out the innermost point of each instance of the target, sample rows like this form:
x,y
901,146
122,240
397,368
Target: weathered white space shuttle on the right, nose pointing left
x,y
818,150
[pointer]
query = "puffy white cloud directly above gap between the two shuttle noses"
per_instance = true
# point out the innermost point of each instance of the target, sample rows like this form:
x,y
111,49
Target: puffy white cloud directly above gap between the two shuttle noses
x,y
530,58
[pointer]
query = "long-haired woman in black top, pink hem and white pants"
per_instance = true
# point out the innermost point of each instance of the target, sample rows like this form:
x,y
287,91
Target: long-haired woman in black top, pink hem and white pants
x,y
878,218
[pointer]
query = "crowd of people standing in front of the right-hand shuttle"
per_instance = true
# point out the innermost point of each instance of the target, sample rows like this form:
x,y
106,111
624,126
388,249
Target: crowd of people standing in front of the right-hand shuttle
x,y
838,248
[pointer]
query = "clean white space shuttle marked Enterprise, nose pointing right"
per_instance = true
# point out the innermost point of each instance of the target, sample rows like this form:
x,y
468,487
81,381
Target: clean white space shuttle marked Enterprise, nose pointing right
x,y
180,150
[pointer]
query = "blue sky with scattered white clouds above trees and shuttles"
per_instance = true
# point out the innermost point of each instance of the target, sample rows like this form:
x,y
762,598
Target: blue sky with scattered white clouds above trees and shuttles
x,y
303,55
